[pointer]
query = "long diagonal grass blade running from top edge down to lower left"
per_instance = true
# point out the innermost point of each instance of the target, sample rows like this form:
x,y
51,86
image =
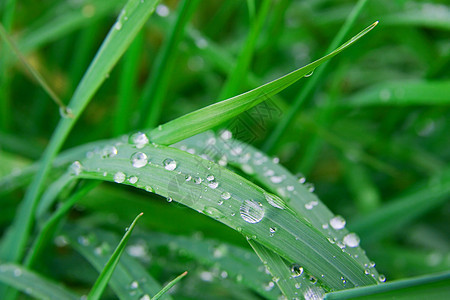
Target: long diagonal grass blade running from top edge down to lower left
x,y
133,16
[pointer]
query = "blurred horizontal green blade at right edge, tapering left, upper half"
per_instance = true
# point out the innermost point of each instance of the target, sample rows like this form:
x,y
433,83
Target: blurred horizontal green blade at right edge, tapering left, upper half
x,y
401,93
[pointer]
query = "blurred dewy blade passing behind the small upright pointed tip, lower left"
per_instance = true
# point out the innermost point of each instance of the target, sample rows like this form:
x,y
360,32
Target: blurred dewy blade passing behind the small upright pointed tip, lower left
x,y
130,277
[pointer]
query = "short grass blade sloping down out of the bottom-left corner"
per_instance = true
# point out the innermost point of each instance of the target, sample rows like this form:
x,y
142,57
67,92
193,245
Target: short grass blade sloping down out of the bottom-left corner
x,y
33,284
